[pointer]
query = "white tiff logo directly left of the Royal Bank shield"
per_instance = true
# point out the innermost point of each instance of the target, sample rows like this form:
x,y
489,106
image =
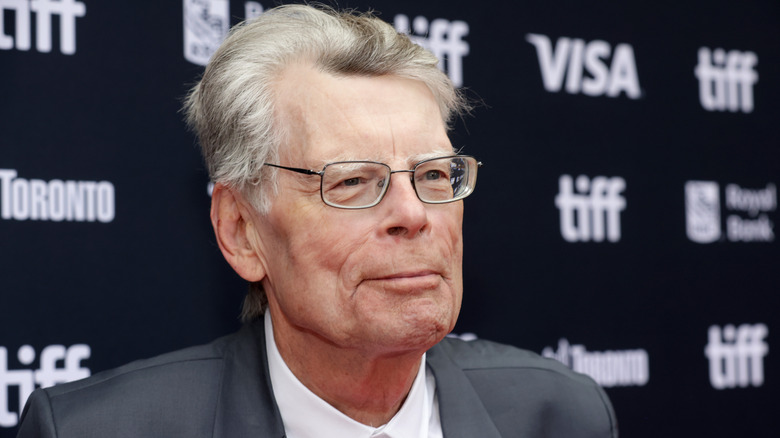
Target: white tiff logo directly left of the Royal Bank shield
x,y
590,210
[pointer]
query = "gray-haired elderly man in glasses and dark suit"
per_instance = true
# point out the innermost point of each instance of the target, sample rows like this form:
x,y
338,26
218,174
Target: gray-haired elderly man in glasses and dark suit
x,y
338,196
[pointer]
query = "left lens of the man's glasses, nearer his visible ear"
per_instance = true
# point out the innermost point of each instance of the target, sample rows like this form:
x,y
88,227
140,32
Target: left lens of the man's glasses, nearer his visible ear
x,y
354,184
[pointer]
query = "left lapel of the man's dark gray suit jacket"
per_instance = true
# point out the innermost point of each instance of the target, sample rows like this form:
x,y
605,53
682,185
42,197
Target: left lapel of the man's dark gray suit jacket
x,y
246,407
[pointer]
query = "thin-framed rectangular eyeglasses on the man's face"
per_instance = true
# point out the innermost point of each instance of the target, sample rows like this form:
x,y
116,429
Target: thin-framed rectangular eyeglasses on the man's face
x,y
363,184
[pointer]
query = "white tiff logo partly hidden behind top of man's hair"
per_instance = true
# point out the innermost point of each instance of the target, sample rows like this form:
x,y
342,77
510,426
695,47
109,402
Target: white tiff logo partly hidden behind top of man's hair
x,y
444,39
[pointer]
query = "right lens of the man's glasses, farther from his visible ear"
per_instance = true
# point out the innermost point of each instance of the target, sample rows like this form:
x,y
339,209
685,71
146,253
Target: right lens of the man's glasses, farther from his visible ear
x,y
445,179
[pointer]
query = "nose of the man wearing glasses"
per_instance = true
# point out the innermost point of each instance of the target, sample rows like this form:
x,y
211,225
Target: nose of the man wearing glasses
x,y
405,214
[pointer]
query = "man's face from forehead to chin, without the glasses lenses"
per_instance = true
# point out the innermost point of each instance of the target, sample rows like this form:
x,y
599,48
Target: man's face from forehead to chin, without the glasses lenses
x,y
384,279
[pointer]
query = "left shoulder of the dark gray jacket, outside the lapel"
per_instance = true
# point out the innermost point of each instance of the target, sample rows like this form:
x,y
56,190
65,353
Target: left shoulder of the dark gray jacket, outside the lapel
x,y
174,394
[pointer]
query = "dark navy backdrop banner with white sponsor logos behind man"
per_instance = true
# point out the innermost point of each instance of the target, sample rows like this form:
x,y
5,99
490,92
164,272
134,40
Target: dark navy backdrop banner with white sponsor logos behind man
x,y
624,222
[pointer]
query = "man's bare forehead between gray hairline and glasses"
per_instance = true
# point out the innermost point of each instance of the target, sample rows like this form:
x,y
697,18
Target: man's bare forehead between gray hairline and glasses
x,y
386,118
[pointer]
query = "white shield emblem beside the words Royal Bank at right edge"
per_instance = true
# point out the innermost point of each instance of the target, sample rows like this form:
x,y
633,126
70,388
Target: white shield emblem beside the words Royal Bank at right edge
x,y
702,211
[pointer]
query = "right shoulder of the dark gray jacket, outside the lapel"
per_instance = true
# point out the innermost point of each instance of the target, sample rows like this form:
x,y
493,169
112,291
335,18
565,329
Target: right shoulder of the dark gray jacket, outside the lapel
x,y
523,391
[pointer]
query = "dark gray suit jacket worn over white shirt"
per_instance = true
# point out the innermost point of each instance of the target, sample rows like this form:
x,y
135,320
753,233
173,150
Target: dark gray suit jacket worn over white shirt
x,y
220,390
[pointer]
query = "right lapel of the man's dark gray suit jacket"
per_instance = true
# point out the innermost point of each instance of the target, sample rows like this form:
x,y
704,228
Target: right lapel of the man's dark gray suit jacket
x,y
460,408
